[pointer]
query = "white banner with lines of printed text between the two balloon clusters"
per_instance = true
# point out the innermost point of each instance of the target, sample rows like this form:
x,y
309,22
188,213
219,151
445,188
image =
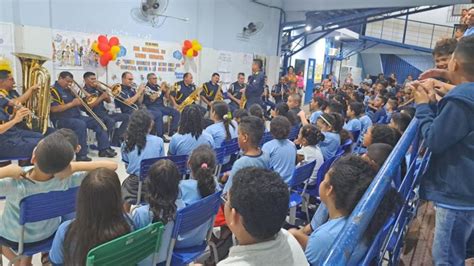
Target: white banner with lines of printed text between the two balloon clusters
x,y
151,56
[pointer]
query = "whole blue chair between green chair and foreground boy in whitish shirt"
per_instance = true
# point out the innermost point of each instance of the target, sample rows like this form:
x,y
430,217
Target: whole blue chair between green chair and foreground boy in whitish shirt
x,y
191,217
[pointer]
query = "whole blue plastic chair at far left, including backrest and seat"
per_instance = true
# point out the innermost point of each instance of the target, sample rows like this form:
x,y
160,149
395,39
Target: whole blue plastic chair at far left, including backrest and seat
x,y
40,207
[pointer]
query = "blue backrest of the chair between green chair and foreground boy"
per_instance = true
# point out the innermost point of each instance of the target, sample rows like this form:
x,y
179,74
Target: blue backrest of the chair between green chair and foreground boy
x,y
196,214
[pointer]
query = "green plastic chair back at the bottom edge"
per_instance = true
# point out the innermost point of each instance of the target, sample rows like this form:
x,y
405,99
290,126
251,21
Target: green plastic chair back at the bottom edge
x,y
128,249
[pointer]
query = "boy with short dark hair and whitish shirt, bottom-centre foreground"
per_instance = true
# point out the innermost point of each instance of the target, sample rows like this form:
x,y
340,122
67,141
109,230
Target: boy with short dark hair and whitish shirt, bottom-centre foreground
x,y
255,209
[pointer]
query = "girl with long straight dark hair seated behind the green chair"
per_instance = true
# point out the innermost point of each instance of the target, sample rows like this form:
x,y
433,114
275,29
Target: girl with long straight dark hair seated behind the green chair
x,y
99,218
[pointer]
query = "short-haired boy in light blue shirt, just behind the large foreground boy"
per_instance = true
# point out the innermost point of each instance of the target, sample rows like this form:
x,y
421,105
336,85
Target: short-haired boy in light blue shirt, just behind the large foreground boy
x,y
250,132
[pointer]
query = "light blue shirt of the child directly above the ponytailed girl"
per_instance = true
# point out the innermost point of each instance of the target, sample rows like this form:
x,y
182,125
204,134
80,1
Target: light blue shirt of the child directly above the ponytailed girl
x,y
185,144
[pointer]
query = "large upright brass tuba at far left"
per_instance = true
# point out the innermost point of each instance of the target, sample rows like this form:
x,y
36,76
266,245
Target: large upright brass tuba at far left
x,y
39,103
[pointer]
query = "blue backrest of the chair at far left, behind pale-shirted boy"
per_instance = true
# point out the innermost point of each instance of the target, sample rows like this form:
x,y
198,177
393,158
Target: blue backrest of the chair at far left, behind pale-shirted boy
x,y
57,203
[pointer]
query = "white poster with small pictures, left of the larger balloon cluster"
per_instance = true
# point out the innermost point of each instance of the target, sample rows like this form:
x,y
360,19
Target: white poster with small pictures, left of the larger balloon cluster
x,y
72,51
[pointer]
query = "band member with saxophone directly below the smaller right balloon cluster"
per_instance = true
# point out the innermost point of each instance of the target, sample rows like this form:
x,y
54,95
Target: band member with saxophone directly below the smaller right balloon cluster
x,y
182,91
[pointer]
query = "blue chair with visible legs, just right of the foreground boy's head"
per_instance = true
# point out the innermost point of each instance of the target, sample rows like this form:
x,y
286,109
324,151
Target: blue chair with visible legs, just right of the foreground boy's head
x,y
300,175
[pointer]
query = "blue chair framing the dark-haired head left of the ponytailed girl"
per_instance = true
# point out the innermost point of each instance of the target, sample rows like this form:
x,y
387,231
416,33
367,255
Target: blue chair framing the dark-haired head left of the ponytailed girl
x,y
181,162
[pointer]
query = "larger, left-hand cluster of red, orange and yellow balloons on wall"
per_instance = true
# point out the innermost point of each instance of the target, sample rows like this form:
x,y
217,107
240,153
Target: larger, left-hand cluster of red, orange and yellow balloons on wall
x,y
108,49
